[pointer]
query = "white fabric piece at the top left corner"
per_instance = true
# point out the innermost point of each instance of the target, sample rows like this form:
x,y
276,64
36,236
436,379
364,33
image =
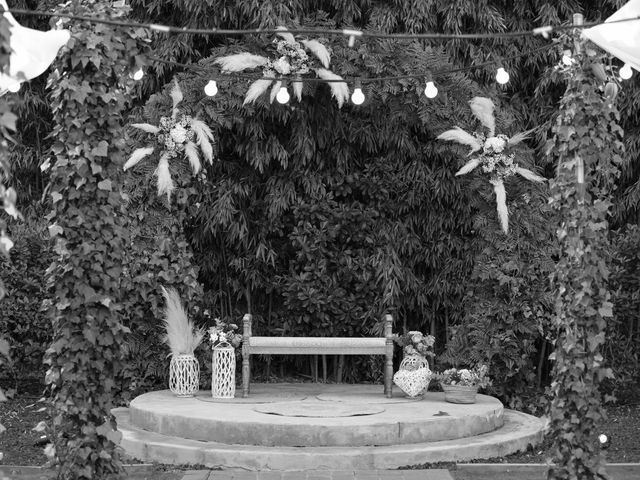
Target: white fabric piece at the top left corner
x,y
32,51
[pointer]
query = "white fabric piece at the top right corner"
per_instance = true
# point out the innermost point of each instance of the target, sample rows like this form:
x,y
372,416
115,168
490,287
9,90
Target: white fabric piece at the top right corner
x,y
620,39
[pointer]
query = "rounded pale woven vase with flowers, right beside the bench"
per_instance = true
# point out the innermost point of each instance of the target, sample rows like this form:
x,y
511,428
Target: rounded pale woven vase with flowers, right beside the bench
x,y
414,374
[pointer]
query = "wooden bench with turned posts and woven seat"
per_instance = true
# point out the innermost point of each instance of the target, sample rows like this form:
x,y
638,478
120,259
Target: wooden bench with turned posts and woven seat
x,y
317,345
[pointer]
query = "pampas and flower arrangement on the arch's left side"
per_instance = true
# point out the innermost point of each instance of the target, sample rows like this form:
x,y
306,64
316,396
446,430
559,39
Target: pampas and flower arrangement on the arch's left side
x,y
179,135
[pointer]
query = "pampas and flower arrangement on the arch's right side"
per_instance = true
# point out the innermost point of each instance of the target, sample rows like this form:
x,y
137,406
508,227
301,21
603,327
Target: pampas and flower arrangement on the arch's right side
x,y
492,154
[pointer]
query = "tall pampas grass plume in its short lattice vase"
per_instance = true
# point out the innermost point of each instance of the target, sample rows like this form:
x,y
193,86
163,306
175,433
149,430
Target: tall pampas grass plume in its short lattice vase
x,y
183,338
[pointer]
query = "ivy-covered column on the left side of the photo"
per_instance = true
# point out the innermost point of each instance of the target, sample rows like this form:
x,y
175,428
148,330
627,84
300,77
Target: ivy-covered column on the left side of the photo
x,y
90,91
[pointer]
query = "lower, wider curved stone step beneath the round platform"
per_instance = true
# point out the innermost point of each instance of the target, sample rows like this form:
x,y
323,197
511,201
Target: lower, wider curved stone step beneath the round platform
x,y
519,430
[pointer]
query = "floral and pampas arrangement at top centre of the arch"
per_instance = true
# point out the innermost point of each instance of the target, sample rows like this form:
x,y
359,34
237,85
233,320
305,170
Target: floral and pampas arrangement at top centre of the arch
x,y
292,60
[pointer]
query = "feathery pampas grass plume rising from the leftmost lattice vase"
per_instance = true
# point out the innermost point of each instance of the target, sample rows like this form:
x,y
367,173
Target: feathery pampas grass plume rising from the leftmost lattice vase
x,y
181,335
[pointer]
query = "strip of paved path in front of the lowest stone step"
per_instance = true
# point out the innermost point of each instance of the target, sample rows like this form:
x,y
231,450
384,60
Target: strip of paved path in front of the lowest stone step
x,y
432,474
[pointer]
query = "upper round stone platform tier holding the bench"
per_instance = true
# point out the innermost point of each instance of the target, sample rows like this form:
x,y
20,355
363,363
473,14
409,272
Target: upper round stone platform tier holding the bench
x,y
402,421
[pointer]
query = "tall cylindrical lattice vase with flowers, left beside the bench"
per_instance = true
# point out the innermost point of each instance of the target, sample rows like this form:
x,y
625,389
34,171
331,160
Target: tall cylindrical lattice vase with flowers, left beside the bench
x,y
224,339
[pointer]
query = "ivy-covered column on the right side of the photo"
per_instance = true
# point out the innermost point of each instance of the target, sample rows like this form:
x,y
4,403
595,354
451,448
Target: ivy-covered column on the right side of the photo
x,y
587,145
